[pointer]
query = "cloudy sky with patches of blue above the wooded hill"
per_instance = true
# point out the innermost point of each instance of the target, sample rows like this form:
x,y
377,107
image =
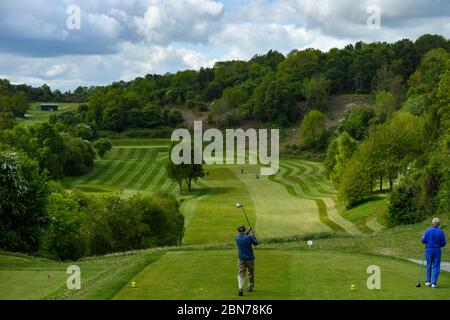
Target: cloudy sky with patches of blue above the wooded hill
x,y
40,41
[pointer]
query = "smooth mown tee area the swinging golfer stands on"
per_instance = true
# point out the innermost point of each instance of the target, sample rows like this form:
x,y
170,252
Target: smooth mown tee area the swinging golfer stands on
x,y
280,274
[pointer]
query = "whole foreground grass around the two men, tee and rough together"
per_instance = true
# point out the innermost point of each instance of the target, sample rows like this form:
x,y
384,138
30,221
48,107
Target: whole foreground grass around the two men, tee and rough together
x,y
284,270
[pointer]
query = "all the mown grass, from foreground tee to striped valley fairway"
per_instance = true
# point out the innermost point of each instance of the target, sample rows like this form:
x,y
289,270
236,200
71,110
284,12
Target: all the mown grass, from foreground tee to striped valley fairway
x,y
297,204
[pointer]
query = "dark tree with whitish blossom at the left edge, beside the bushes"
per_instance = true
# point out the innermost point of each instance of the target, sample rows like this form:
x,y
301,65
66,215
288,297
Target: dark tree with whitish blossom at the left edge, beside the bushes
x,y
23,195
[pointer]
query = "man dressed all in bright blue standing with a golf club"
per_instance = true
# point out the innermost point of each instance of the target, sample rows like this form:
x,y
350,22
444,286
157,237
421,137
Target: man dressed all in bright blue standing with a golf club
x,y
434,239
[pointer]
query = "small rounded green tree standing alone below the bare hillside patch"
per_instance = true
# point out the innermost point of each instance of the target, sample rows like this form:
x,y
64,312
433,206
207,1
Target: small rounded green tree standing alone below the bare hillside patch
x,y
313,131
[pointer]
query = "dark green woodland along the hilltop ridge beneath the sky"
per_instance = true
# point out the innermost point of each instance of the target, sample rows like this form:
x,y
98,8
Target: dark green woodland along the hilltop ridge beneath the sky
x,y
267,88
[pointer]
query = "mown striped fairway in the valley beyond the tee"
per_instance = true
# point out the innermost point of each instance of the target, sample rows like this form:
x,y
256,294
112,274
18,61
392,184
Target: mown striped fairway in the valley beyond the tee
x,y
299,199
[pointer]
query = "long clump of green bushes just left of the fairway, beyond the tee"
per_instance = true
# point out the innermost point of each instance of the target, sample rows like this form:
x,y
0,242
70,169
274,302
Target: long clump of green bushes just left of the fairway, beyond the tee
x,y
84,226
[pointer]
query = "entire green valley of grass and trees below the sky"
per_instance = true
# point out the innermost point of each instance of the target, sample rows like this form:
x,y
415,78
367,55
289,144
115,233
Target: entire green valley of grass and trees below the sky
x,y
365,142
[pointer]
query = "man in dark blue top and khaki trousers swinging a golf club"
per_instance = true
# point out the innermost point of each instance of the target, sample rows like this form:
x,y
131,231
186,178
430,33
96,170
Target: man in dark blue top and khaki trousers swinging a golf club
x,y
245,243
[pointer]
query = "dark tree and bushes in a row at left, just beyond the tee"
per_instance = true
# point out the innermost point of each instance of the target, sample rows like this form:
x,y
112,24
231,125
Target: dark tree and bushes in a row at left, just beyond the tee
x,y
38,216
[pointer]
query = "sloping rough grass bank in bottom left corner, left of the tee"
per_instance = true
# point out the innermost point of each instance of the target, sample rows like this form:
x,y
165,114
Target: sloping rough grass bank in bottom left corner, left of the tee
x,y
26,278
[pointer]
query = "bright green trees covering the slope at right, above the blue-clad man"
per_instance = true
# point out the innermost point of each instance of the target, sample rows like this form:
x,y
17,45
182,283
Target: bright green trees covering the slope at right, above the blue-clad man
x,y
401,143
